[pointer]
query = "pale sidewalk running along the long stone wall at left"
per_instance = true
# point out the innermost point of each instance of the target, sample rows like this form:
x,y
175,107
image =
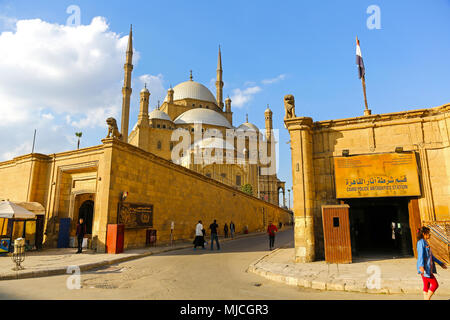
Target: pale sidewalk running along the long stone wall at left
x,y
51,262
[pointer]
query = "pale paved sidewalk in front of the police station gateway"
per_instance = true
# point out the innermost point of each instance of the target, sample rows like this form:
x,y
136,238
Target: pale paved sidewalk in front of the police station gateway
x,y
397,275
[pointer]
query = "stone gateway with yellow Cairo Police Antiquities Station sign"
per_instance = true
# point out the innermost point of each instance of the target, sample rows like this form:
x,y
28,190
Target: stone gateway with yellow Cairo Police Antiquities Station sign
x,y
392,170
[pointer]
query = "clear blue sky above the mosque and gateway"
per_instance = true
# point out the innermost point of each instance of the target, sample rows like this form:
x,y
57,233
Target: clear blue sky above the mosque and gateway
x,y
309,46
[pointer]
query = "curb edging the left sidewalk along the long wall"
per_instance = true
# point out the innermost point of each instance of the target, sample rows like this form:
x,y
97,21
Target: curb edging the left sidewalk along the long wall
x,y
26,274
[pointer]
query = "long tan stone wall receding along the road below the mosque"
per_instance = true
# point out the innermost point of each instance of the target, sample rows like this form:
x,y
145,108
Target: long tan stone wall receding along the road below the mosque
x,y
180,195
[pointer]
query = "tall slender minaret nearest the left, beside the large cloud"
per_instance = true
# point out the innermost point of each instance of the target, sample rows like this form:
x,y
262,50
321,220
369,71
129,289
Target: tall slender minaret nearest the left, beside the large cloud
x,y
126,90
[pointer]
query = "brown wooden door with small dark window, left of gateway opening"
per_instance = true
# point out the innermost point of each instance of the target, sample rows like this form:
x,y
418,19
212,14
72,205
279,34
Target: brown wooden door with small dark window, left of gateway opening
x,y
336,233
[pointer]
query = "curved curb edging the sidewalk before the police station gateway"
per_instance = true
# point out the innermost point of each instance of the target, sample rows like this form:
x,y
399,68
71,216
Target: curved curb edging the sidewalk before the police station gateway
x,y
329,286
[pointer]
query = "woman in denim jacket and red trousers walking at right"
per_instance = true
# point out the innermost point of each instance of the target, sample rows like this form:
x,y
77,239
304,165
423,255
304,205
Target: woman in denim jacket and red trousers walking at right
x,y
425,263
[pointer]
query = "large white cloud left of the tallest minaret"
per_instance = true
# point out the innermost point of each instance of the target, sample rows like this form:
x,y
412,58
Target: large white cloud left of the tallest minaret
x,y
59,79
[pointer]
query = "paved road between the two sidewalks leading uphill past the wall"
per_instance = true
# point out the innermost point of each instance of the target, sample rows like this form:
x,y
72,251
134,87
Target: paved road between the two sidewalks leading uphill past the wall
x,y
182,274
